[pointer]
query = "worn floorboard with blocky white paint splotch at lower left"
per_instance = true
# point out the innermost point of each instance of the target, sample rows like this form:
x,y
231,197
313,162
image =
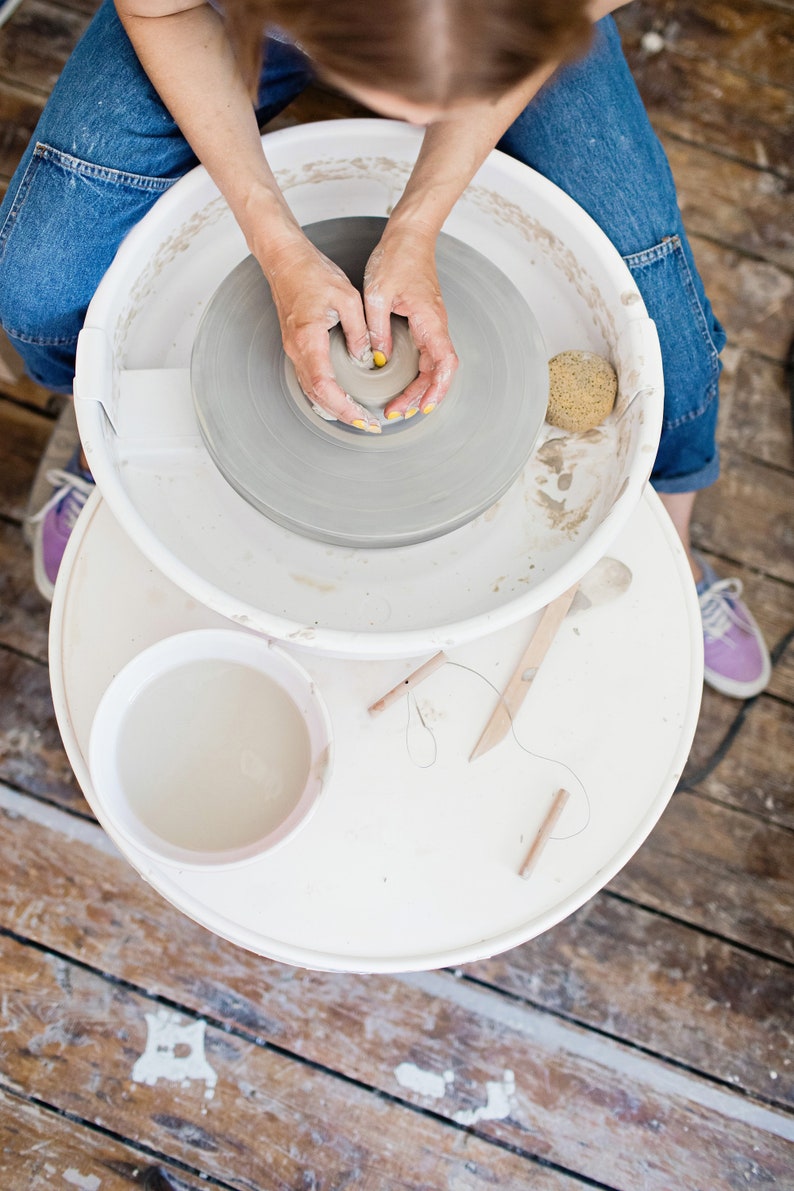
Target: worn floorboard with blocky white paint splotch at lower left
x,y
220,1103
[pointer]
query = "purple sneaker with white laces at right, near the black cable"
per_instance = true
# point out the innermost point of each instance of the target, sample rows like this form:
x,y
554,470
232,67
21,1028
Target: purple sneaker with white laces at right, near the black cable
x,y
736,656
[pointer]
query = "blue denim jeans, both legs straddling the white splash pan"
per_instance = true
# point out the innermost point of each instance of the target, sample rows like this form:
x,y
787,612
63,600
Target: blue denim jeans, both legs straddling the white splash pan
x,y
105,149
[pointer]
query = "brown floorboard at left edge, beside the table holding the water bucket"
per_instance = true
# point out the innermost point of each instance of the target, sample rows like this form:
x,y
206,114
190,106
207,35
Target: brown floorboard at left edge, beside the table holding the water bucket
x,y
32,753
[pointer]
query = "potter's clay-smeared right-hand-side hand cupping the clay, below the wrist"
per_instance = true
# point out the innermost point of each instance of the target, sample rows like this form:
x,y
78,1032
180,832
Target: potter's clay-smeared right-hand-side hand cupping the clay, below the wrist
x,y
402,279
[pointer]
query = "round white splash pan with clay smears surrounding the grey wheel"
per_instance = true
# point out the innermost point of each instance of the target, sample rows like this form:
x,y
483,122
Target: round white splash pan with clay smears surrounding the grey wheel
x,y
142,441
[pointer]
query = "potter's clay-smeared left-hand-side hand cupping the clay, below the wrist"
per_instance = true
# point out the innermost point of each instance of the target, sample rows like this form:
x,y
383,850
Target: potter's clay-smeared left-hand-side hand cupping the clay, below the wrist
x,y
312,295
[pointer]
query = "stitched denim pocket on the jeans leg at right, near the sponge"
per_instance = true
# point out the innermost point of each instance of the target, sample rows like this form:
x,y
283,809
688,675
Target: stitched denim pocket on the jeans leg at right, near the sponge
x,y
691,336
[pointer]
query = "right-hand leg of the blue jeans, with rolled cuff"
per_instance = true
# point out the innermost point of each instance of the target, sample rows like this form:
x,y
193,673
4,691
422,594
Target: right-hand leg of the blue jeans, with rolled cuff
x,y
589,132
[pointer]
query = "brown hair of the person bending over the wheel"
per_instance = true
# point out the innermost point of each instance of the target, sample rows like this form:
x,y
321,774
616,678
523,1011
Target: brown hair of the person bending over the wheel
x,y
427,52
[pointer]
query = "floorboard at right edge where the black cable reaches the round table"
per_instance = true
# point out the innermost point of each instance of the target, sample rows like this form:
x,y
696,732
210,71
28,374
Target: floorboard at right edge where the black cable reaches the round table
x,y
757,774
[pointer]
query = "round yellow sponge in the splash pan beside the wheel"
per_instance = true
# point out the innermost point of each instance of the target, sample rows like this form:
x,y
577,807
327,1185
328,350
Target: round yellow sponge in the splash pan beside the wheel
x,y
583,389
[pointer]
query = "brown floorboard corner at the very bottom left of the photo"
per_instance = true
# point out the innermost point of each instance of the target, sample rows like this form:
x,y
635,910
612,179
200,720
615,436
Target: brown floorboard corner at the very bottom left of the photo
x,y
41,1151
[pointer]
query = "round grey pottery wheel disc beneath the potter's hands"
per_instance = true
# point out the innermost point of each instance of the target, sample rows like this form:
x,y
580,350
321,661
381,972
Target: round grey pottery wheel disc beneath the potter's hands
x,y
421,478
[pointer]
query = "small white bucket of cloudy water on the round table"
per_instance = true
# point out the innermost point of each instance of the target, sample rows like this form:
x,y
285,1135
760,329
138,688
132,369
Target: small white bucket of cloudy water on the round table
x,y
210,749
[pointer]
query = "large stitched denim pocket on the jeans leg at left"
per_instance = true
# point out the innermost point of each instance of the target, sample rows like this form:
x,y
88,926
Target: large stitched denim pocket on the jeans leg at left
x,y
62,228
